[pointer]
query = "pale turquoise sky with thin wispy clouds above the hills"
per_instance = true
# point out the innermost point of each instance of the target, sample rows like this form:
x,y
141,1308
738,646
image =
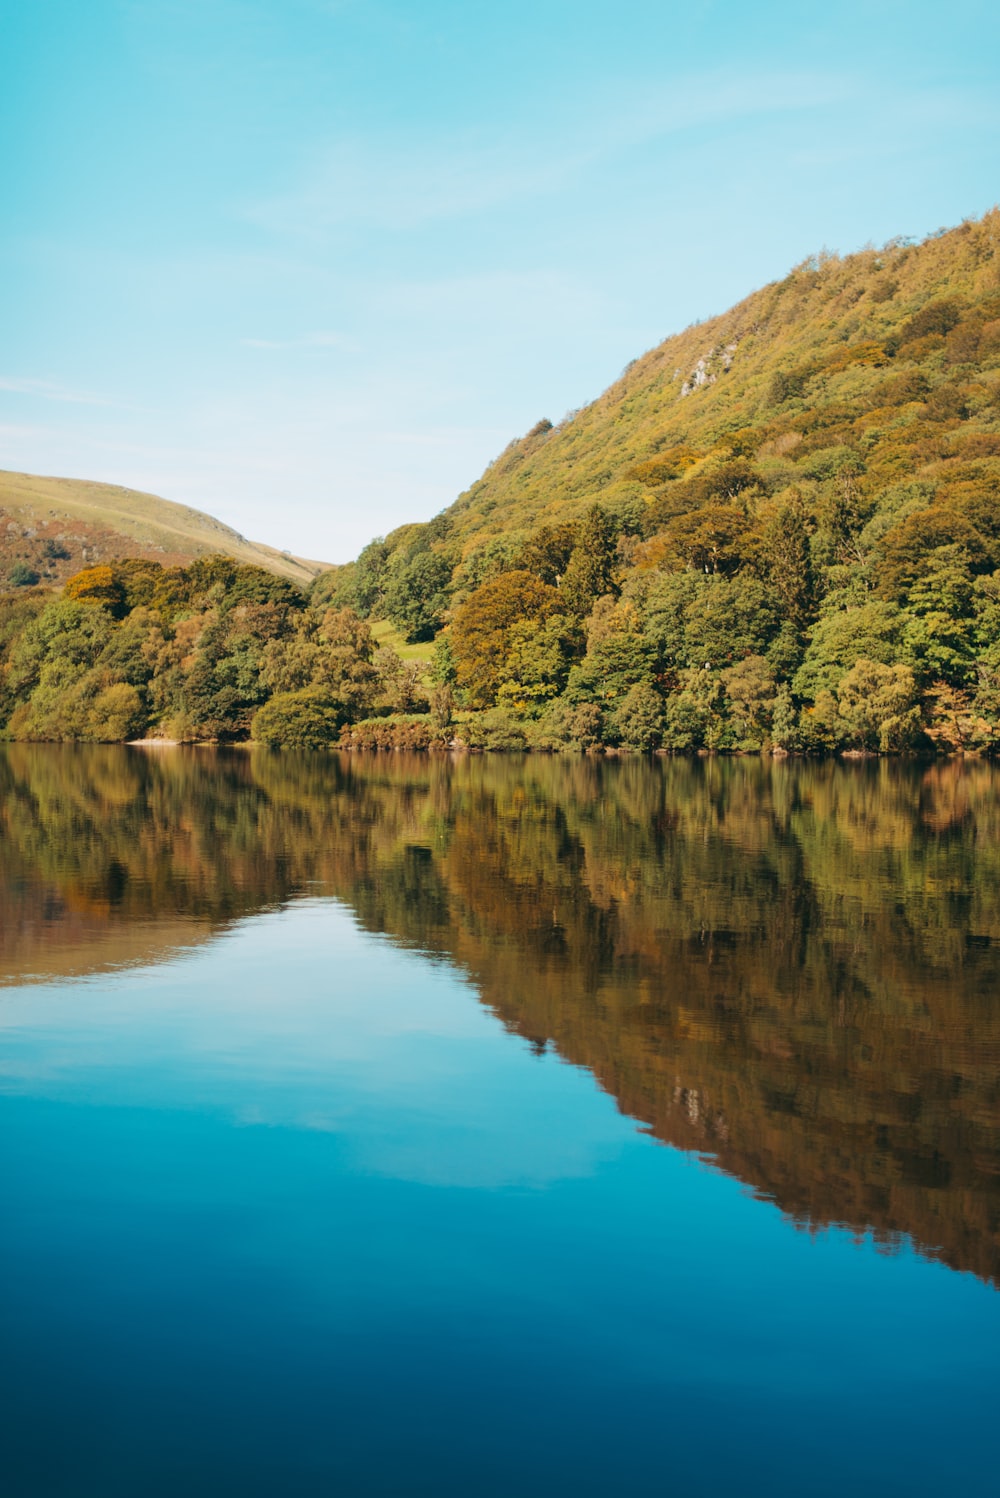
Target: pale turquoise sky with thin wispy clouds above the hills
x,y
311,264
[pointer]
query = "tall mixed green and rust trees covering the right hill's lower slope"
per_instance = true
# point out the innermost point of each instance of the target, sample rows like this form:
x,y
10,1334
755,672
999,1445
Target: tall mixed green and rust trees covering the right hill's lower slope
x,y
809,619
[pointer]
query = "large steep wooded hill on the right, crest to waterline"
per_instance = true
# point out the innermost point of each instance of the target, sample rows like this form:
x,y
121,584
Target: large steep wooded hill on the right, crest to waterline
x,y
781,527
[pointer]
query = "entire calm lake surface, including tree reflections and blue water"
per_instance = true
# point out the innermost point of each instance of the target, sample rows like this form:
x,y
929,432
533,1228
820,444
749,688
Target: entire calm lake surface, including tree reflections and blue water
x,y
411,1127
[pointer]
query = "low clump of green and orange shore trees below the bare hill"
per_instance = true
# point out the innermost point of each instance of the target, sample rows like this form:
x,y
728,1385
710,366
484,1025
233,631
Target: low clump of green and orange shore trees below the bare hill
x,y
210,652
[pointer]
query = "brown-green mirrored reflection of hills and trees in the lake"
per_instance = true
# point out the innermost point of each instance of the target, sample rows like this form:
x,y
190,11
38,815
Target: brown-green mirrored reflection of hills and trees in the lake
x,y
791,968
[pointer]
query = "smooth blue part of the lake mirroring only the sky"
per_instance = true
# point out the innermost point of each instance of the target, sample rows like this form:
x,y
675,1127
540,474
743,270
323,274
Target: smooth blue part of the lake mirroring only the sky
x,y
291,1213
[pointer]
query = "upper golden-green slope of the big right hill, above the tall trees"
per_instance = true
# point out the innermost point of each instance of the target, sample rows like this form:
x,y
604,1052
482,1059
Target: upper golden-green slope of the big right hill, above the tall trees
x,y
875,351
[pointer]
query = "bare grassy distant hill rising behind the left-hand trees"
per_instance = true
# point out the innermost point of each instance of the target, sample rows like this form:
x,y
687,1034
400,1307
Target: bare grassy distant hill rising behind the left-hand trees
x,y
56,527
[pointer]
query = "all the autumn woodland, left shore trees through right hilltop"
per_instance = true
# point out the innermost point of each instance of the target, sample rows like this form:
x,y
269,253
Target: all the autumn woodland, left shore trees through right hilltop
x,y
778,531
